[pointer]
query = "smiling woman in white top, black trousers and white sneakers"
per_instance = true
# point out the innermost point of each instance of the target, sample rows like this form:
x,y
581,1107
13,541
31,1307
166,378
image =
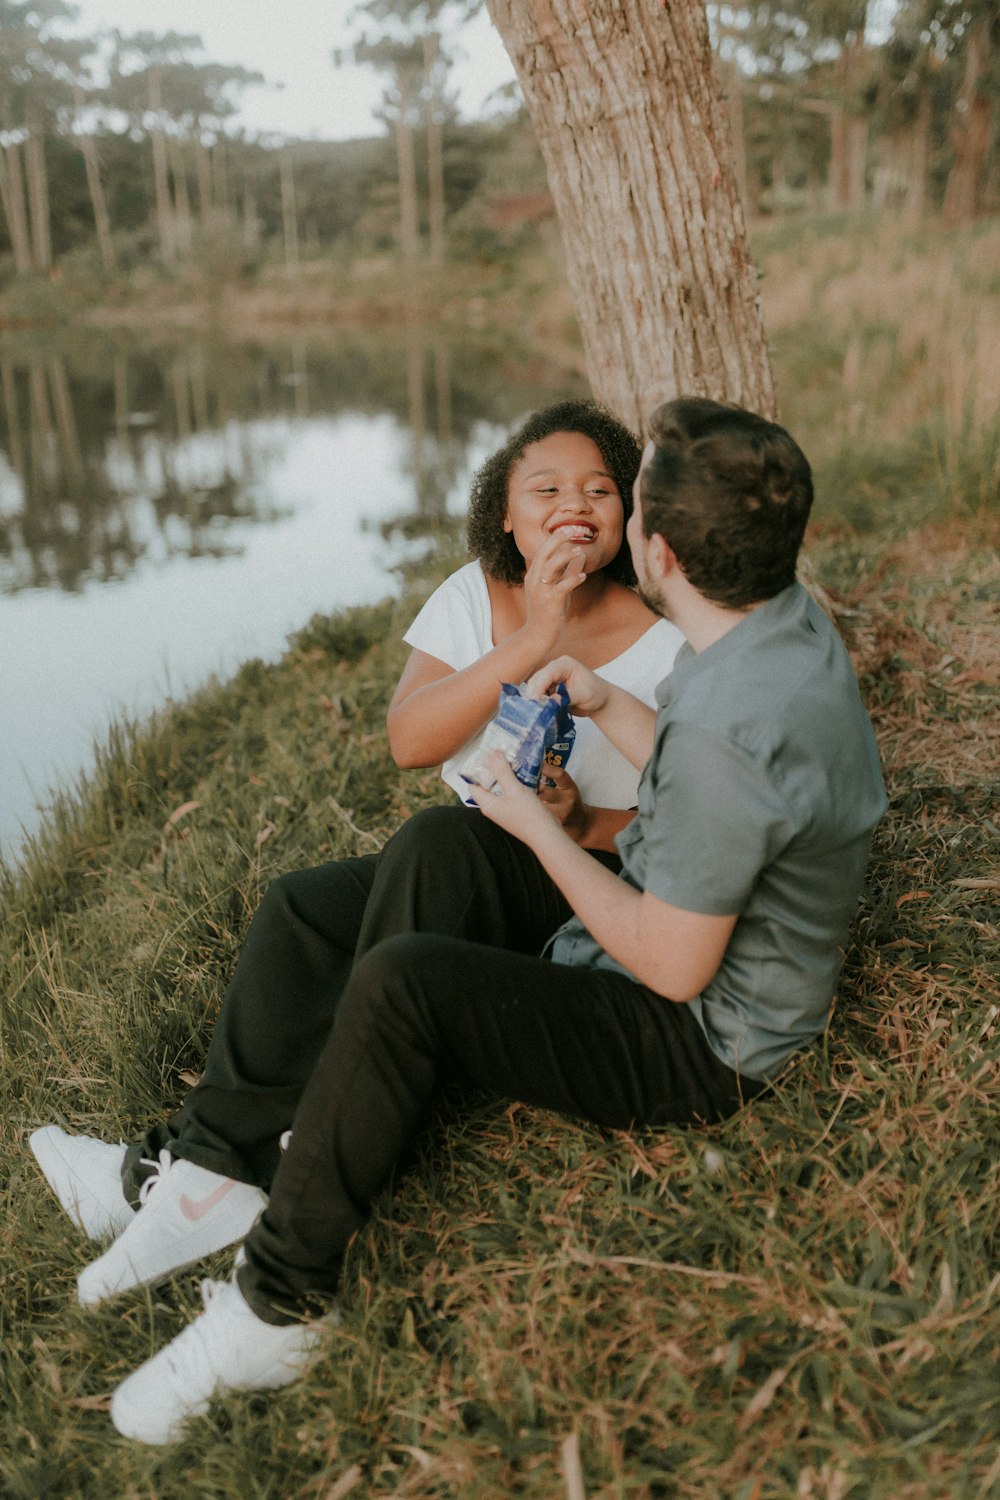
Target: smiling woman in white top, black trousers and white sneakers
x,y
551,575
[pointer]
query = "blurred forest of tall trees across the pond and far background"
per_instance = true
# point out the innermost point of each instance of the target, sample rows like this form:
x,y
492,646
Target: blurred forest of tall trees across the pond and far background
x,y
121,154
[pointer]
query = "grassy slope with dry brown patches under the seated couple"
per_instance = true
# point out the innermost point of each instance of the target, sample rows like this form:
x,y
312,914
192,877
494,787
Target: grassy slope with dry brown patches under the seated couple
x,y
801,1303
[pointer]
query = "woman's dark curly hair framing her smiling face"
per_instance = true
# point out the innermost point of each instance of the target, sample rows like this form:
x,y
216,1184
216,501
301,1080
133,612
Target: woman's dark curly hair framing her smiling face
x,y
488,505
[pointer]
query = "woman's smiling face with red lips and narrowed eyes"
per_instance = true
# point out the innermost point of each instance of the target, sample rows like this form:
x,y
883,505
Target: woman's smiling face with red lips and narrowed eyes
x,y
561,487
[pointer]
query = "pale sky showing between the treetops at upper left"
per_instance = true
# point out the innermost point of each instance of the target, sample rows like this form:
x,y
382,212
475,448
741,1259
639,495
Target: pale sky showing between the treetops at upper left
x,y
292,44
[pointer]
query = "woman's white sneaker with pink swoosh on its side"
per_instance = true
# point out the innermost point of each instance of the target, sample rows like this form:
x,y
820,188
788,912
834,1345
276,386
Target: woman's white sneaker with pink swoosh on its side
x,y
191,1214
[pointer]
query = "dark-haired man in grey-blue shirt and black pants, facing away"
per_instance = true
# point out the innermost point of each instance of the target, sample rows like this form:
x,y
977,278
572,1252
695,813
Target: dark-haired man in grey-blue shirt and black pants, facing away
x,y
680,988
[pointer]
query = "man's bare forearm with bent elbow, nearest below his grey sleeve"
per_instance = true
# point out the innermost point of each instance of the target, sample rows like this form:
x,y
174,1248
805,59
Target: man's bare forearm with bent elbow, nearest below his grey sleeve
x,y
672,952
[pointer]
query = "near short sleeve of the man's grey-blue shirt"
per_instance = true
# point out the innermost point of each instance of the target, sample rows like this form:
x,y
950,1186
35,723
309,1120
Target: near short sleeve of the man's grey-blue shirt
x,y
717,821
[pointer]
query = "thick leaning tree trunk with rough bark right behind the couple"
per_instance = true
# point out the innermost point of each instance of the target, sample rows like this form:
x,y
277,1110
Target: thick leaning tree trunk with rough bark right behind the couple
x,y
624,101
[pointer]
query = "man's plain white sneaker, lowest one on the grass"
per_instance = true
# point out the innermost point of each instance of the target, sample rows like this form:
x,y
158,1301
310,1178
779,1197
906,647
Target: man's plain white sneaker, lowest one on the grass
x,y
229,1348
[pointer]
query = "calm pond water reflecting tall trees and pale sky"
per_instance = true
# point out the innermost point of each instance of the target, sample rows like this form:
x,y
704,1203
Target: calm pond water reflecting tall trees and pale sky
x,y
169,512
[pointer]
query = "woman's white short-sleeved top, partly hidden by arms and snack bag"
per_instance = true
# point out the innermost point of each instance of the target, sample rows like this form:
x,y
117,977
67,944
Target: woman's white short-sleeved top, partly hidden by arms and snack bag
x,y
457,626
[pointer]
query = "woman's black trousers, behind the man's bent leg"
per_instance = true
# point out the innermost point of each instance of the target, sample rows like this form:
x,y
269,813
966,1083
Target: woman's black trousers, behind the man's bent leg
x,y
448,871
